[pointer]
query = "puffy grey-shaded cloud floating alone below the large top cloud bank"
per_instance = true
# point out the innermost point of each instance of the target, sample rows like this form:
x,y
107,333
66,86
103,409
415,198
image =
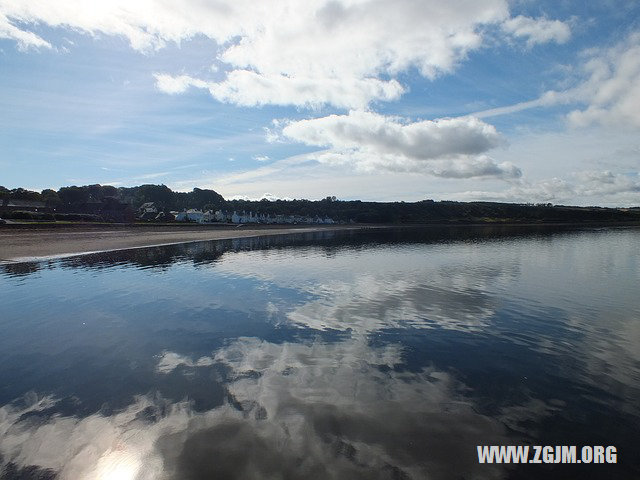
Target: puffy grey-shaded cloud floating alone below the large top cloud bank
x,y
448,147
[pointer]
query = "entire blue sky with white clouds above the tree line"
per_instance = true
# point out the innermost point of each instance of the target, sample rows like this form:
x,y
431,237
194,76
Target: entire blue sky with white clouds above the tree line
x,y
378,100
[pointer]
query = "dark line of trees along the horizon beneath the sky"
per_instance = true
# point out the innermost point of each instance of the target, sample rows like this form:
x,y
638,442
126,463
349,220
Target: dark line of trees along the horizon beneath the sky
x,y
74,199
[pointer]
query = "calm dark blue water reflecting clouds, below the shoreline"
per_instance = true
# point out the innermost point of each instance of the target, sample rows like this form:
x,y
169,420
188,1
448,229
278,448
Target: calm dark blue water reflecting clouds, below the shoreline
x,y
353,355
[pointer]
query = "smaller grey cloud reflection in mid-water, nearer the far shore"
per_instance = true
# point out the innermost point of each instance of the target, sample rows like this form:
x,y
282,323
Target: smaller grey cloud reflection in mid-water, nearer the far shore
x,y
378,288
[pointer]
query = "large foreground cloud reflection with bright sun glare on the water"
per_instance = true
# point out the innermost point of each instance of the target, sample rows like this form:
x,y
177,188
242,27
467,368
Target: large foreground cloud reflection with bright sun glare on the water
x,y
315,410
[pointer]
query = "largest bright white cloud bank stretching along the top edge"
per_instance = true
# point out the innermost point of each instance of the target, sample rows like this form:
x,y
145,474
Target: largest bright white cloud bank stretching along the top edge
x,y
287,52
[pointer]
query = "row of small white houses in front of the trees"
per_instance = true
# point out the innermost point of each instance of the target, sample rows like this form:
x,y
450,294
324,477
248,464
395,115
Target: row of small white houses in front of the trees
x,y
221,216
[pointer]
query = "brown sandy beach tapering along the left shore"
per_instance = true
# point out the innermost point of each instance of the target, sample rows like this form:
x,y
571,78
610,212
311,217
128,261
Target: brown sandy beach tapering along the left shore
x,y
29,244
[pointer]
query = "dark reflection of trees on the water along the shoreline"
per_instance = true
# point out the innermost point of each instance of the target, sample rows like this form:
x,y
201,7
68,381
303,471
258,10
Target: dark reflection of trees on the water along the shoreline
x,y
329,241
